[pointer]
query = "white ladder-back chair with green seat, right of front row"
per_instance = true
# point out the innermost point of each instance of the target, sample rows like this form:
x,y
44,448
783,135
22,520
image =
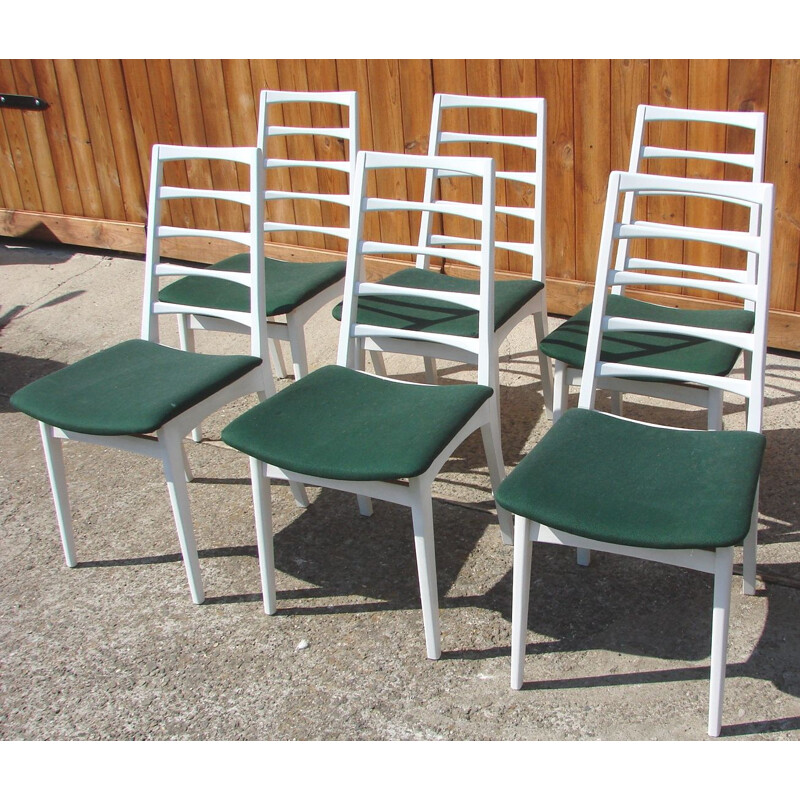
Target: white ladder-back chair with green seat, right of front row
x,y
671,495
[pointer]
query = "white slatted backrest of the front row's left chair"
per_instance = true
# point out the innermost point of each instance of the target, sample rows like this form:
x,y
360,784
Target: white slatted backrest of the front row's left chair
x,y
161,194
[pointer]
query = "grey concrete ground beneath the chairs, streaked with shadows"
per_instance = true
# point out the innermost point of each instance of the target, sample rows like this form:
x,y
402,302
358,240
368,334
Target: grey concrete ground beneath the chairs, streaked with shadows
x,y
115,650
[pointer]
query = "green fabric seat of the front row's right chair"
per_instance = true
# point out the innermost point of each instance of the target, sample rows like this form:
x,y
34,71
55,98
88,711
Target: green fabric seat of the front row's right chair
x,y
613,480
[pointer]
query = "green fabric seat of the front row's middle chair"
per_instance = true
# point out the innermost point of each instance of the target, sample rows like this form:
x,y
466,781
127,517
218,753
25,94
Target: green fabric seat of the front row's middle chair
x,y
342,424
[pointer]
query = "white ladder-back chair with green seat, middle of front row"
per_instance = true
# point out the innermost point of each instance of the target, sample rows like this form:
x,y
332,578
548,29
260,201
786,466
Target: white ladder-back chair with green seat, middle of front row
x,y
377,437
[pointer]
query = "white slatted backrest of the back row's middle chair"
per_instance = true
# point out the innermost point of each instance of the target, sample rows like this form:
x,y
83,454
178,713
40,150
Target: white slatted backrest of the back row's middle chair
x,y
520,175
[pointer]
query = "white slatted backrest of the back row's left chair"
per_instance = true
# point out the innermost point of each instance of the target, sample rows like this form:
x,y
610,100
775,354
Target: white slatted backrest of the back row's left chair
x,y
309,159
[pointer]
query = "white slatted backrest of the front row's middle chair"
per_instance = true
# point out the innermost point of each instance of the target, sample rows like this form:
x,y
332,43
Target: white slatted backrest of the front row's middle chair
x,y
478,253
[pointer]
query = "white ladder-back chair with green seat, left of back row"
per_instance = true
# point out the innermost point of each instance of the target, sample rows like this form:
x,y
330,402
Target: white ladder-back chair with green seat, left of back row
x,y
306,194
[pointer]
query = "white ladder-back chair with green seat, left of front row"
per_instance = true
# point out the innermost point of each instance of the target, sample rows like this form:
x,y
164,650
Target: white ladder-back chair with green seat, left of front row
x,y
142,396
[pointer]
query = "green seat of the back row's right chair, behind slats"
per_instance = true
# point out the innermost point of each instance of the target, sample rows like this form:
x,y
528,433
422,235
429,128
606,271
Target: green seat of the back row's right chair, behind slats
x,y
666,351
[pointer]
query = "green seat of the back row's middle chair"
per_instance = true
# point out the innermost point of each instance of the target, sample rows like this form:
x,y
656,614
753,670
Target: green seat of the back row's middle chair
x,y
419,314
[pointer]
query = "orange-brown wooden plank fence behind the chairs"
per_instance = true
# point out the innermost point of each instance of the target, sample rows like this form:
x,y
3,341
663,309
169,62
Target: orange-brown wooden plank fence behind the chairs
x,y
78,172
